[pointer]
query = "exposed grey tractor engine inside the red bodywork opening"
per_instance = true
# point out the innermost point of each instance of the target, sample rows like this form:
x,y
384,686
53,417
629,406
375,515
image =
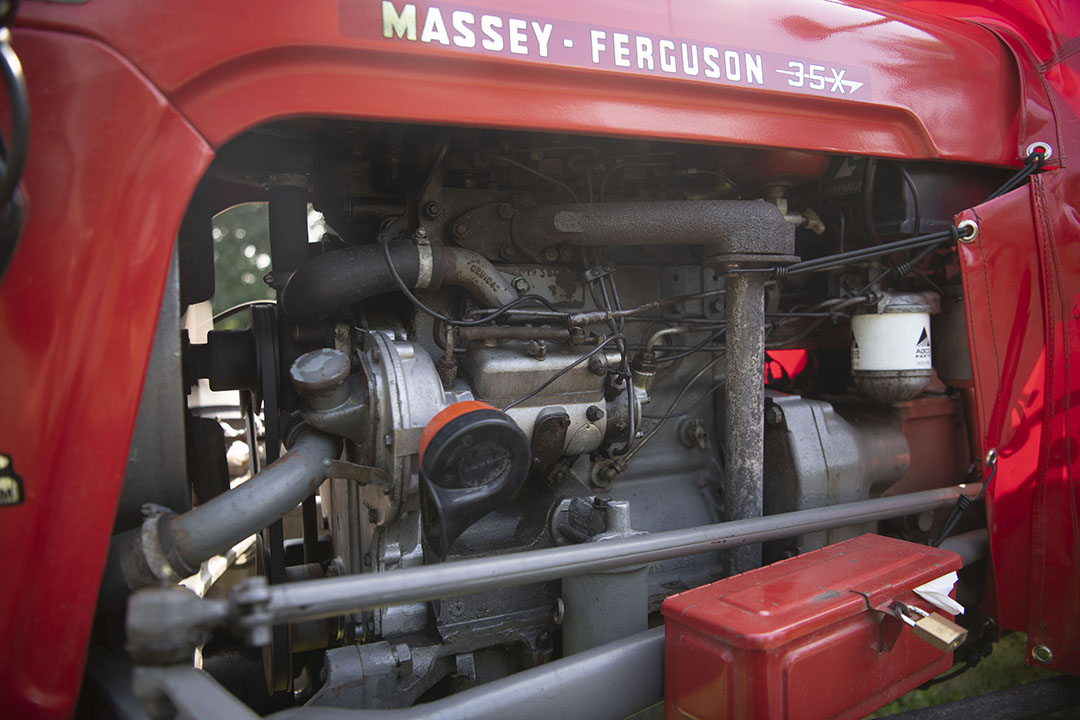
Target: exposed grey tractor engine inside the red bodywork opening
x,y
514,342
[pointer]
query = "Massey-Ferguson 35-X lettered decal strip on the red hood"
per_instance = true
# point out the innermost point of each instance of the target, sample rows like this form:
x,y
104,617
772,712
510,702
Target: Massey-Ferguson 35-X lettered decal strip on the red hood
x,y
576,45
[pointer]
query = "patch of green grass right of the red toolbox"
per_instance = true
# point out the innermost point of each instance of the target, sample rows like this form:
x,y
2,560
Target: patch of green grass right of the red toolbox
x,y
1004,669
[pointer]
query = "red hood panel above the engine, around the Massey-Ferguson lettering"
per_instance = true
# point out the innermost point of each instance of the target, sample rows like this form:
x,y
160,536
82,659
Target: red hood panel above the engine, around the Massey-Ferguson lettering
x,y
231,66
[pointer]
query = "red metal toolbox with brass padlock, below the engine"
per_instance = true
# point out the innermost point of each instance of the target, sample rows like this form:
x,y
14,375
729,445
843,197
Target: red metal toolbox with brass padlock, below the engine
x,y
806,639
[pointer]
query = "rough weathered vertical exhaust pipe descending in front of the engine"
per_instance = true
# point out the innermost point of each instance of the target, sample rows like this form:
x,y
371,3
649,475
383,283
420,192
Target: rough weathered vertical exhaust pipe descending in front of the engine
x,y
745,405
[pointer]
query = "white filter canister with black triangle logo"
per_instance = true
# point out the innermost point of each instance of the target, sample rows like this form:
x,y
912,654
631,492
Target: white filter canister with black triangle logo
x,y
890,346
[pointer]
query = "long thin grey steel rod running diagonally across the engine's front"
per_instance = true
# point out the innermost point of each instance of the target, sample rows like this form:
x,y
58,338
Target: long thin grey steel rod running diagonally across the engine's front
x,y
323,599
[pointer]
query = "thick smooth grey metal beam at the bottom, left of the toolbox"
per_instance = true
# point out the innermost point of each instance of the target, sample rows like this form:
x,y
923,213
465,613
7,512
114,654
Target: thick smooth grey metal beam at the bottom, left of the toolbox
x,y
613,681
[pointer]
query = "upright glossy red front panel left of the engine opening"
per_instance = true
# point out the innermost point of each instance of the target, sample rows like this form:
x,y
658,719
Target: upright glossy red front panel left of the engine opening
x,y
110,173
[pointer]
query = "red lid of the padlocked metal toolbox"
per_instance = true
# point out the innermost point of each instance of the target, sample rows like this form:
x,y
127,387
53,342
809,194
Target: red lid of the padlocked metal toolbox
x,y
769,607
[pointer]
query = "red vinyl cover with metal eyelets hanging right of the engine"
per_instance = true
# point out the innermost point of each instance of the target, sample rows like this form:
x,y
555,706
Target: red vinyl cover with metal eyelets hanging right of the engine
x,y
1022,284
